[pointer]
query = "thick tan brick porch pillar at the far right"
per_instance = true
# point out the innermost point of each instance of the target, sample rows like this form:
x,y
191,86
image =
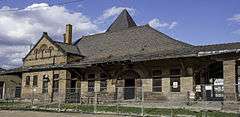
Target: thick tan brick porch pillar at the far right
x,y
229,75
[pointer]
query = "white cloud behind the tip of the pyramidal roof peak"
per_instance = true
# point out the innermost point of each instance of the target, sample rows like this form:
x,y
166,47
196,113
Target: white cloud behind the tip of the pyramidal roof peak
x,y
114,11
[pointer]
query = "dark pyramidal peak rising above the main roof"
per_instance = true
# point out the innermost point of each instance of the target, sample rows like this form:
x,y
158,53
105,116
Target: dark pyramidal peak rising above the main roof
x,y
123,21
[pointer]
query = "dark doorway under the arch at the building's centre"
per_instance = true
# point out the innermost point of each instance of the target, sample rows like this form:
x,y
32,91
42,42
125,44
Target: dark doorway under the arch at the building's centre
x,y
129,90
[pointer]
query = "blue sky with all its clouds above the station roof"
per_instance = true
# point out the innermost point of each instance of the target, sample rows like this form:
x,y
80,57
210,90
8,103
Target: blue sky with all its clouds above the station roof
x,y
198,22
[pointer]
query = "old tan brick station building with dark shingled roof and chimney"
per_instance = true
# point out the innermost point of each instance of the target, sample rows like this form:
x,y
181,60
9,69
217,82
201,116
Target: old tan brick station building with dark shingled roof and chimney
x,y
128,59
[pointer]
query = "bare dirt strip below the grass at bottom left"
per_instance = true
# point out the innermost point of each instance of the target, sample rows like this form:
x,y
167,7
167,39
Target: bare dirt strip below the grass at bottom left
x,y
4,113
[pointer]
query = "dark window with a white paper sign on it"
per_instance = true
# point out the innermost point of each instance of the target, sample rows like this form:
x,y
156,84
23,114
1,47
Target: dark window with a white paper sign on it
x,y
175,80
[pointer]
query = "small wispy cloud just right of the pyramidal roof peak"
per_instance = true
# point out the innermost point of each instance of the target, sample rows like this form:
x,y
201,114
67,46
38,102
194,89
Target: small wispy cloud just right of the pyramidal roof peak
x,y
156,23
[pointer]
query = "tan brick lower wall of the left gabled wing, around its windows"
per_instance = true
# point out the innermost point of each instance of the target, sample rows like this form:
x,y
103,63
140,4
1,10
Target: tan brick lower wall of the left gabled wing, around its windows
x,y
29,90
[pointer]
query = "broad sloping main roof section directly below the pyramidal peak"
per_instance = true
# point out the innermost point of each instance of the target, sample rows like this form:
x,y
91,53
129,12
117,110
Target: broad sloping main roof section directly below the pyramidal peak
x,y
134,40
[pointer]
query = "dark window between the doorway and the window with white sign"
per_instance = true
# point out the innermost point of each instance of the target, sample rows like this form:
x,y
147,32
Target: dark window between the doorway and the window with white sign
x,y
157,81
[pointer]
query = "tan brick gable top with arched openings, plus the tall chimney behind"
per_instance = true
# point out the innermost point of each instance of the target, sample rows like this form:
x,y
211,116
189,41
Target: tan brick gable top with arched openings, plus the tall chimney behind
x,y
47,51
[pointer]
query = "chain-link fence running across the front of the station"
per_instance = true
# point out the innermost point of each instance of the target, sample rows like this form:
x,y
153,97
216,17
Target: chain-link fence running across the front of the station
x,y
139,101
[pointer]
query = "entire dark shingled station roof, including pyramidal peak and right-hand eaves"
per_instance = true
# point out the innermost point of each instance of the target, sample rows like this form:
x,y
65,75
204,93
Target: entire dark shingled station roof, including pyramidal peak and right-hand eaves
x,y
125,41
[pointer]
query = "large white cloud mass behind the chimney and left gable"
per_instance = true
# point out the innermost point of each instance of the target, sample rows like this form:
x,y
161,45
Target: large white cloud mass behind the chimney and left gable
x,y
23,27
